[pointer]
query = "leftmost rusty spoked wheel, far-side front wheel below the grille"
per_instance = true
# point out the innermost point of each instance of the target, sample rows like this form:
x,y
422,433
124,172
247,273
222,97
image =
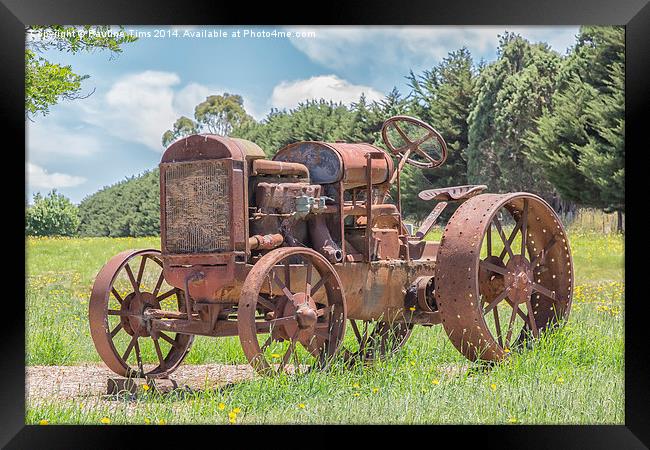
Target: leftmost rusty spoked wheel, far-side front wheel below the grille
x,y
129,284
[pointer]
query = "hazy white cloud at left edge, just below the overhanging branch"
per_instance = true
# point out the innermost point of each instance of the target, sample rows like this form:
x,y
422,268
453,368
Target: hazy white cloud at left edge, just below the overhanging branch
x,y
47,141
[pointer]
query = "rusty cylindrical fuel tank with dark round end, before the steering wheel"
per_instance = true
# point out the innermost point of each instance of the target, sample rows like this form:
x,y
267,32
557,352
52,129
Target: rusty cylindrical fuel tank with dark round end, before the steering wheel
x,y
333,162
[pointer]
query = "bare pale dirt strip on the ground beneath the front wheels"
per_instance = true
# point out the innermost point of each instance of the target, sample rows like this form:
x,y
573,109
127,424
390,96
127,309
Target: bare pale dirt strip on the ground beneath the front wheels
x,y
91,380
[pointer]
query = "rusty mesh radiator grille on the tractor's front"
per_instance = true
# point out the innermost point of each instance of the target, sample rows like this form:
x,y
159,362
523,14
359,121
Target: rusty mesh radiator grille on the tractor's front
x,y
197,207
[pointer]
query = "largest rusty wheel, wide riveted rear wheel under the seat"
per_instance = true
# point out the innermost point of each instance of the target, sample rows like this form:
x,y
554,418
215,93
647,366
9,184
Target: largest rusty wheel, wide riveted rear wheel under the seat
x,y
503,274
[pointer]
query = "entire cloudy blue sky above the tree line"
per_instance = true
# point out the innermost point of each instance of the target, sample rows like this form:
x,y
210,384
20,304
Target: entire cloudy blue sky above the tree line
x,y
85,144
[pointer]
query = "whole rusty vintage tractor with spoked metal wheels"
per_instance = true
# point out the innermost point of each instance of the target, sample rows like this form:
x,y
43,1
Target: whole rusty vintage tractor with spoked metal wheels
x,y
285,253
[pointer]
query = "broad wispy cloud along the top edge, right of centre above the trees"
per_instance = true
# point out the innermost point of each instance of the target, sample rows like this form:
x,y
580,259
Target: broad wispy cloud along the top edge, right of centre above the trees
x,y
414,46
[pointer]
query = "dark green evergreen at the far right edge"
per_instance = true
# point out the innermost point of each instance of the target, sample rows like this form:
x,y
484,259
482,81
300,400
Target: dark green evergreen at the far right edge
x,y
580,141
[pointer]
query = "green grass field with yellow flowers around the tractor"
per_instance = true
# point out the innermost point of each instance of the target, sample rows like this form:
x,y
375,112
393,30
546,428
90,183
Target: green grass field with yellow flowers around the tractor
x,y
574,375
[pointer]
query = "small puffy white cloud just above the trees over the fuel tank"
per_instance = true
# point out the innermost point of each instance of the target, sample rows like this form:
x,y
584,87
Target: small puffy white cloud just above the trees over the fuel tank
x,y
288,94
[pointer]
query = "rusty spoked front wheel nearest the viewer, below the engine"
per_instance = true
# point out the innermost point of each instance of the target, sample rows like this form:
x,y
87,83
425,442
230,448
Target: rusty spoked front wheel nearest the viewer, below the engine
x,y
291,295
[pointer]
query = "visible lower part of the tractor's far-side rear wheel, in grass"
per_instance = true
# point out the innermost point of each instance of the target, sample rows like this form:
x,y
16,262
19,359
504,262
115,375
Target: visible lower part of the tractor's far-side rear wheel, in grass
x,y
375,339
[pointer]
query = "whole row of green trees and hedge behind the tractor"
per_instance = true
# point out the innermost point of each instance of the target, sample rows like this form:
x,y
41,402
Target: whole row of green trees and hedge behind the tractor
x,y
533,120
